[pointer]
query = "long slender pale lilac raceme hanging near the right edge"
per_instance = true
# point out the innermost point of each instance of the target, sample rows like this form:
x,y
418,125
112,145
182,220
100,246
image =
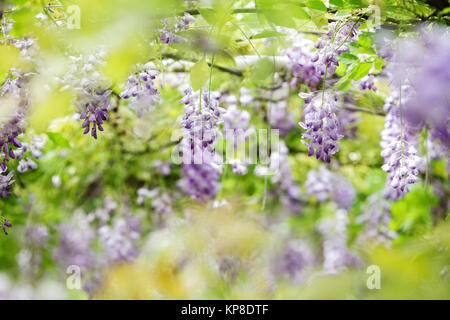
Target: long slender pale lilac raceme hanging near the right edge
x,y
399,141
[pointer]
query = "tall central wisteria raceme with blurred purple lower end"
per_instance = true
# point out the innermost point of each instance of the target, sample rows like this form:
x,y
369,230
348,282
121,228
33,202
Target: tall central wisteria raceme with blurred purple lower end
x,y
201,166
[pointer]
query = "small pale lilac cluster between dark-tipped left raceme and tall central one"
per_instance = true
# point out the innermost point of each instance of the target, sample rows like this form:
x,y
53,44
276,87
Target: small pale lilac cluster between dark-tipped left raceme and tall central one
x,y
141,88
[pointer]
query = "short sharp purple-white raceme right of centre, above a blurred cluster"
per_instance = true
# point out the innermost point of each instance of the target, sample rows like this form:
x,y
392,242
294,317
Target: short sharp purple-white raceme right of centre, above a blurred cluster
x,y
322,126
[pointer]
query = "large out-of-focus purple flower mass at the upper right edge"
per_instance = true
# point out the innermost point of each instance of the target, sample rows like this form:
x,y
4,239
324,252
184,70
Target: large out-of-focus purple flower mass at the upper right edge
x,y
418,62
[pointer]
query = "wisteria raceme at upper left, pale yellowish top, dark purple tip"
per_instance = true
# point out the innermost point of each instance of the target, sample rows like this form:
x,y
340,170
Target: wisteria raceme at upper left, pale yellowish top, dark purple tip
x,y
91,90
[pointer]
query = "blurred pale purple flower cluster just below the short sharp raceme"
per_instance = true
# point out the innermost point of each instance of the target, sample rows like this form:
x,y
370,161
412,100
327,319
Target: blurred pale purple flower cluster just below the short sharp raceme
x,y
326,185
